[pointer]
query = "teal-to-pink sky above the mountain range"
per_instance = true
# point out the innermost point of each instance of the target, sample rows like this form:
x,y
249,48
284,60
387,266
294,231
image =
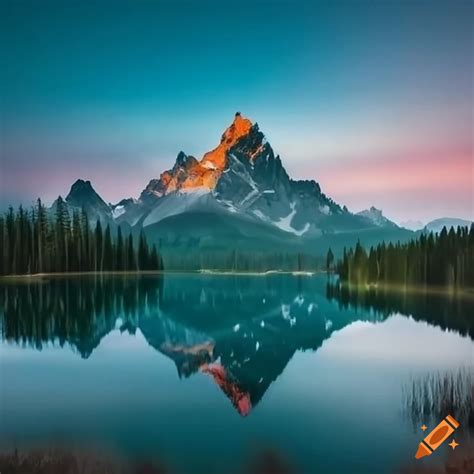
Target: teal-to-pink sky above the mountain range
x,y
372,99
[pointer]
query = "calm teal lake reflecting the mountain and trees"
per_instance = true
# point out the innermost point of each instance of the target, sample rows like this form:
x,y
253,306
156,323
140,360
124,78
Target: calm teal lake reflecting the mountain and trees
x,y
218,373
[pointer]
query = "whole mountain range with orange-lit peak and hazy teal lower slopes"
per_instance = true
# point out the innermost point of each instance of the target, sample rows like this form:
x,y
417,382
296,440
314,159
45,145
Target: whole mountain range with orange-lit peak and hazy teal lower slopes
x,y
238,195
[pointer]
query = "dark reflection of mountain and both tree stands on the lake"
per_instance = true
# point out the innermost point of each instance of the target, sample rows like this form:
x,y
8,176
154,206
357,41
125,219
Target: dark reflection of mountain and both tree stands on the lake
x,y
240,331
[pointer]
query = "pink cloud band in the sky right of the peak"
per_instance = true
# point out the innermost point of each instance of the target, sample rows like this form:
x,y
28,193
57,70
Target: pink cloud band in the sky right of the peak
x,y
419,186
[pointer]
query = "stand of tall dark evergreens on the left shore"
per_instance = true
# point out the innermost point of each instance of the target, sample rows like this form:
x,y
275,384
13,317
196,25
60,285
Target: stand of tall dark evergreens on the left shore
x,y
33,241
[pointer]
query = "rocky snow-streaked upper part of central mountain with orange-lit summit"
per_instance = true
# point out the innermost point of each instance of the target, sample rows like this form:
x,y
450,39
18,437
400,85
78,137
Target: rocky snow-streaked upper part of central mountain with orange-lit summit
x,y
241,178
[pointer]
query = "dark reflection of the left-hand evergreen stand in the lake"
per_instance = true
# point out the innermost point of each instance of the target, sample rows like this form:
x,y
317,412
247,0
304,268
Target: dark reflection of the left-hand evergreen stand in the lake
x,y
78,311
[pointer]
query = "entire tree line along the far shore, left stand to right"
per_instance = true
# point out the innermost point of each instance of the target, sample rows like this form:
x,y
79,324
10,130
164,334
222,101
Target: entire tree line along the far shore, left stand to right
x,y
39,241
